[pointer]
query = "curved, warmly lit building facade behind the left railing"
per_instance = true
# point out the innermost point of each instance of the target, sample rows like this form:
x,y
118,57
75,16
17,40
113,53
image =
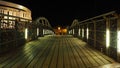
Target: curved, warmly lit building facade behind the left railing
x,y
10,12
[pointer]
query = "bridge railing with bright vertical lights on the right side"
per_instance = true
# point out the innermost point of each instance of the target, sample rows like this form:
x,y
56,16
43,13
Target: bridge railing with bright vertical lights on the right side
x,y
101,32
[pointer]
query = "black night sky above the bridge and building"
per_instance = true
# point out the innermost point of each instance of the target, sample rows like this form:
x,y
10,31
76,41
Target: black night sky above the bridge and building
x,y
63,12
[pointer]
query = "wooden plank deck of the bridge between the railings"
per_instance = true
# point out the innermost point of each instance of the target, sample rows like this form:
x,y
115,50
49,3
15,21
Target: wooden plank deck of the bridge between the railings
x,y
54,52
